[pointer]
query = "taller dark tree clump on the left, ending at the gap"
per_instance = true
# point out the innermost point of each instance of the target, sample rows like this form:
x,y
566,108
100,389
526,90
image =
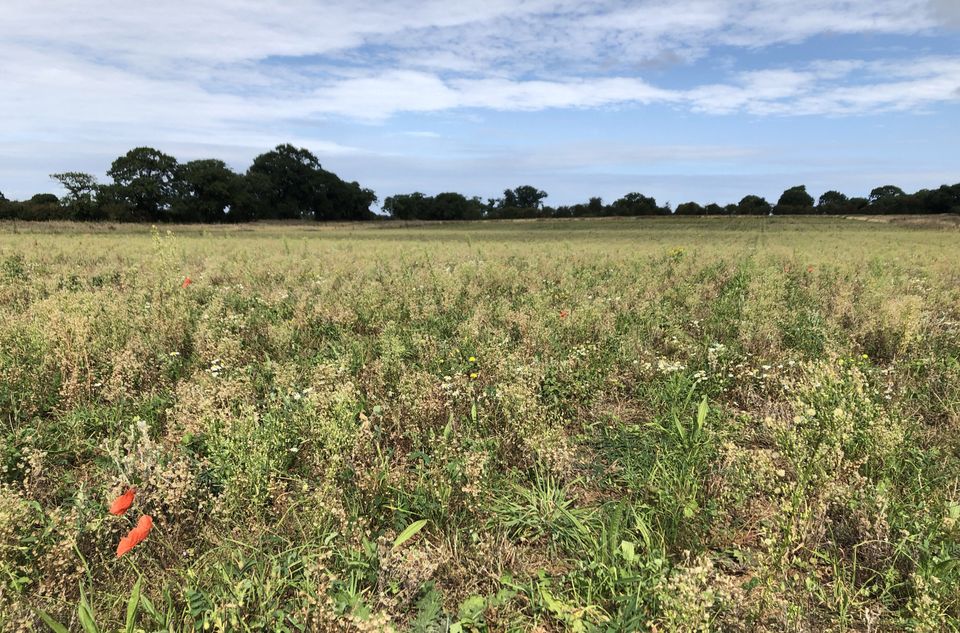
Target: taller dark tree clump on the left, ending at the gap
x,y
149,186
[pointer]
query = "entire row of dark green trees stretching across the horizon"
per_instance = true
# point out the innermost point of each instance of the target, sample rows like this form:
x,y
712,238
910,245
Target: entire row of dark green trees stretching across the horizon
x,y
289,183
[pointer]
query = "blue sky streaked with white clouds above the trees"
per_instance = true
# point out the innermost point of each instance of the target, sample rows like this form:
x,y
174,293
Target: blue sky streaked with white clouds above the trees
x,y
705,100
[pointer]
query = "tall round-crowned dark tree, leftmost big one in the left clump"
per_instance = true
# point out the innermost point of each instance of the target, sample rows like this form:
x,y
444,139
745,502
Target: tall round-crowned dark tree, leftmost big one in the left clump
x,y
145,180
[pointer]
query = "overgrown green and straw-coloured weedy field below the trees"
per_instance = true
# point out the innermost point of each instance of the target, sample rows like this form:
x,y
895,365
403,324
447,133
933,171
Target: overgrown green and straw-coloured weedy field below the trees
x,y
602,425
